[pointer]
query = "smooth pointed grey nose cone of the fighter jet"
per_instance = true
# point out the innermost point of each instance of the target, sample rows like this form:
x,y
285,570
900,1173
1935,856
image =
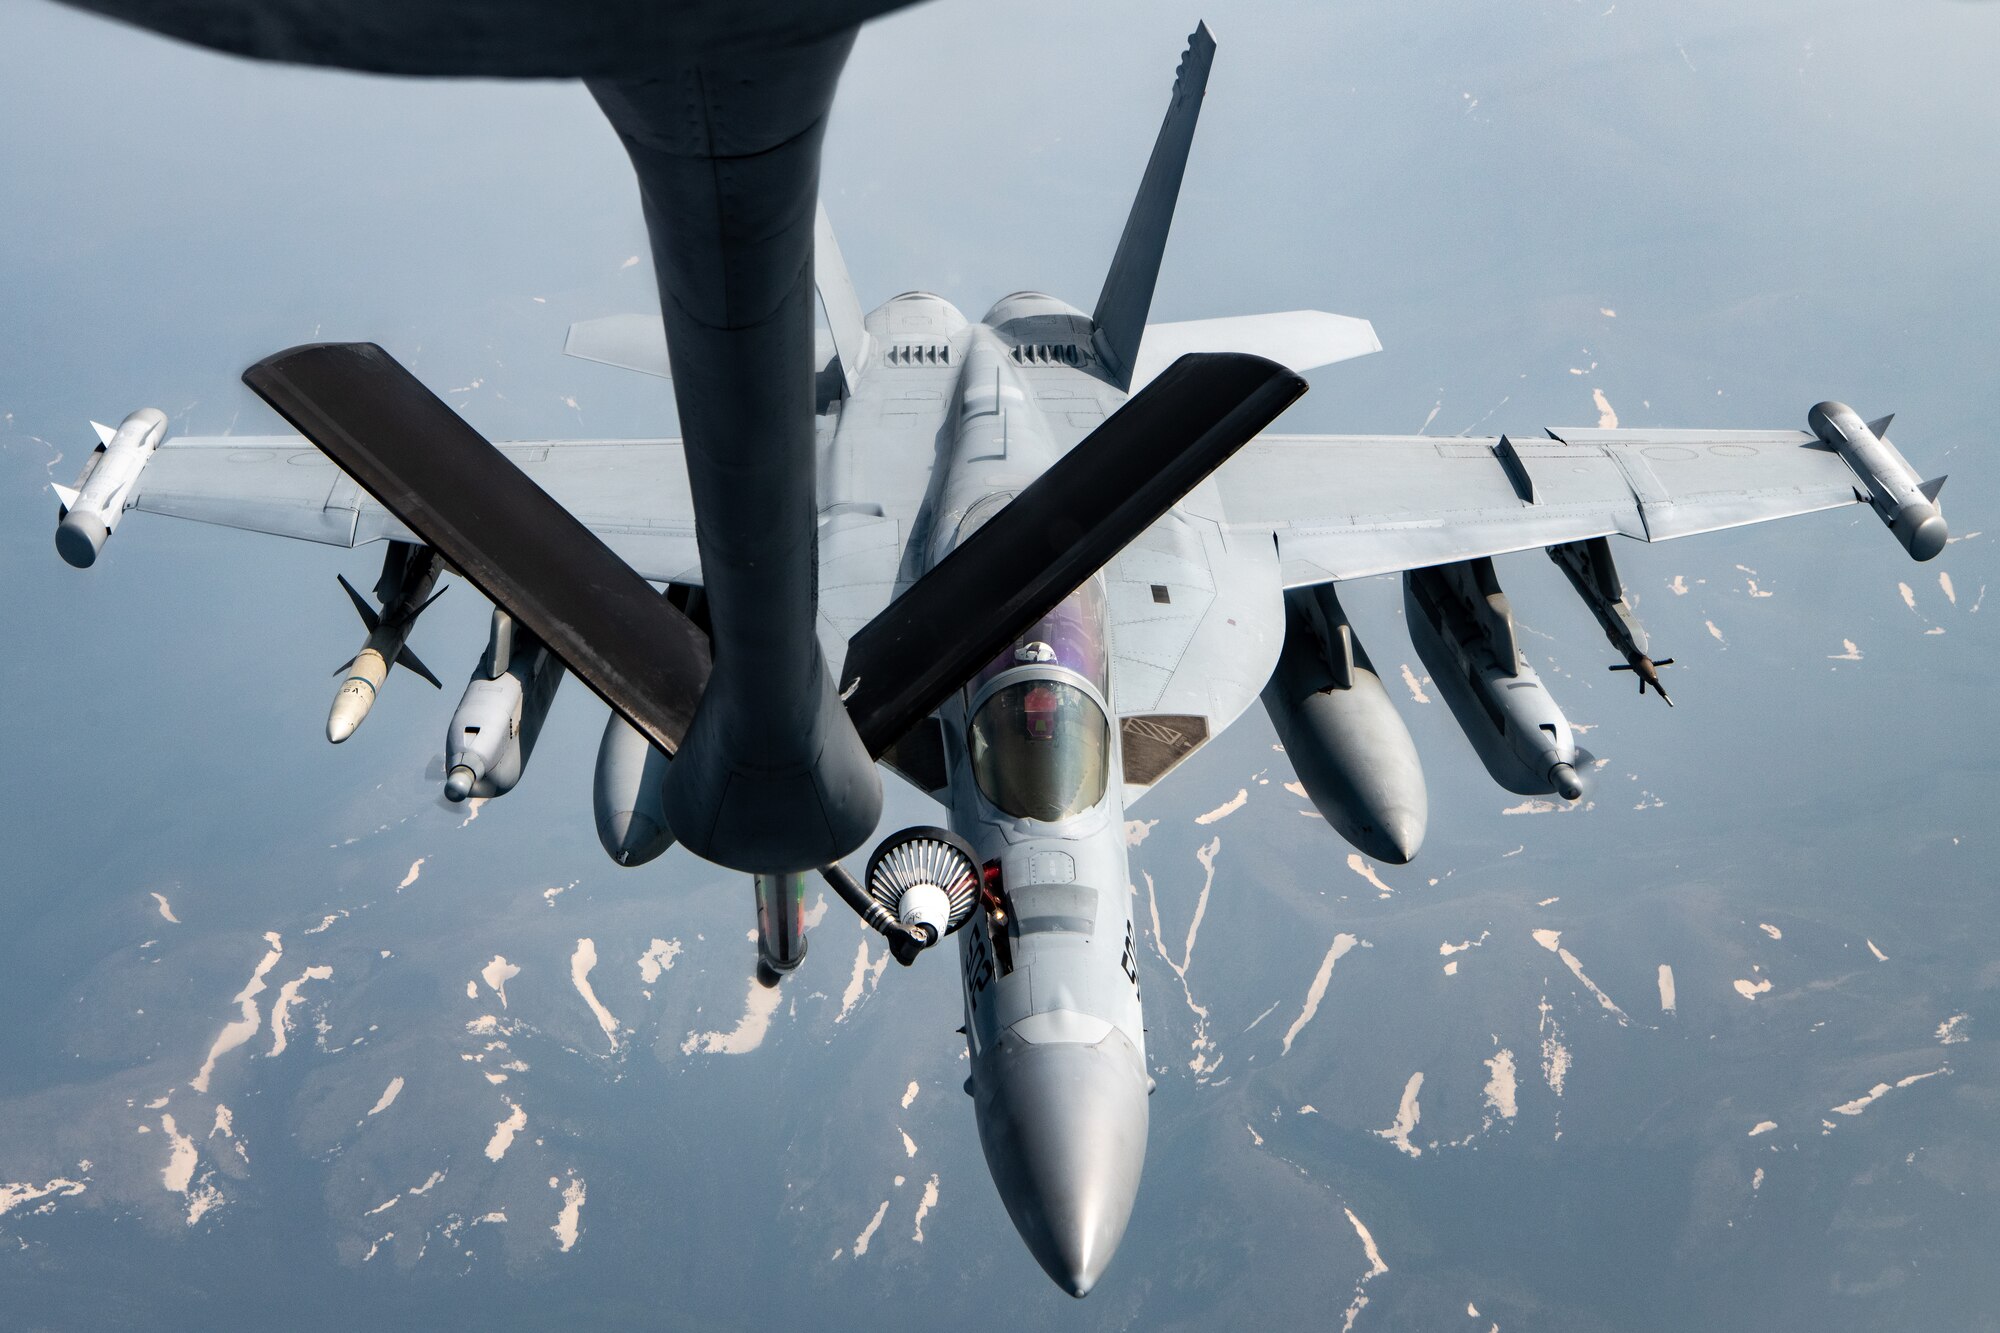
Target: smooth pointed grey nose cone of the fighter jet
x,y
1065,1136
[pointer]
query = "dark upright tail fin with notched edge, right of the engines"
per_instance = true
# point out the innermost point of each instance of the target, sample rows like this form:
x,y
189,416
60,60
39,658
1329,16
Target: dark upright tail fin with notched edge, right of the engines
x,y
1127,297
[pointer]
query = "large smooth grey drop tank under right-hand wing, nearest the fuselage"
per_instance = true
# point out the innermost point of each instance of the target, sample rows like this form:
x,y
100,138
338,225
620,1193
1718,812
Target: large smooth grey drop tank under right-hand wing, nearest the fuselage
x,y
1341,732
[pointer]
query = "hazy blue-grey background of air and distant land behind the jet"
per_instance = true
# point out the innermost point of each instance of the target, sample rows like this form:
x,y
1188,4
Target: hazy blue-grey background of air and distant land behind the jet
x,y
1683,215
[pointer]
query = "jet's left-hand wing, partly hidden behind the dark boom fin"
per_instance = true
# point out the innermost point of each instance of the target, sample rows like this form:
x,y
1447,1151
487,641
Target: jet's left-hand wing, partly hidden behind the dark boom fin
x,y
631,493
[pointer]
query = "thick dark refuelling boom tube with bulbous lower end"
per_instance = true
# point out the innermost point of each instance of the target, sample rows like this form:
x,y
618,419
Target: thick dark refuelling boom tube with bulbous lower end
x,y
725,143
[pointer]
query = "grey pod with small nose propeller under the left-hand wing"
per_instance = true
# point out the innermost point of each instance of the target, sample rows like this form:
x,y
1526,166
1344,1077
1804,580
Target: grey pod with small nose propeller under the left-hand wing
x,y
501,716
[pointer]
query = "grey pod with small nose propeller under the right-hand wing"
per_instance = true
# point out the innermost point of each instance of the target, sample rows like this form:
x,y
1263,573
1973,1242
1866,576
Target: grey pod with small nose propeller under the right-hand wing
x,y
1463,627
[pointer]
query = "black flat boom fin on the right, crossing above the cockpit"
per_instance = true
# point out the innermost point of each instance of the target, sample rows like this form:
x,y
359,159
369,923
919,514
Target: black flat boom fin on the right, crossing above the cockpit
x,y
1055,535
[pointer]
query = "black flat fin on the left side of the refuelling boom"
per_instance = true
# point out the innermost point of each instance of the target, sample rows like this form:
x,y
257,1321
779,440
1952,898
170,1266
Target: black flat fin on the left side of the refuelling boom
x,y
515,543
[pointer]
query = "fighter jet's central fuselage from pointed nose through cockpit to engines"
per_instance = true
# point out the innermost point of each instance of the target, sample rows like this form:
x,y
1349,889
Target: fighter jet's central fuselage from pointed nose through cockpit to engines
x,y
1033,760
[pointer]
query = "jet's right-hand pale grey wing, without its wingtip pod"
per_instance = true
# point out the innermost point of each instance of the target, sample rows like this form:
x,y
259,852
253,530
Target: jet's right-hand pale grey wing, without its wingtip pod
x,y
1347,507
